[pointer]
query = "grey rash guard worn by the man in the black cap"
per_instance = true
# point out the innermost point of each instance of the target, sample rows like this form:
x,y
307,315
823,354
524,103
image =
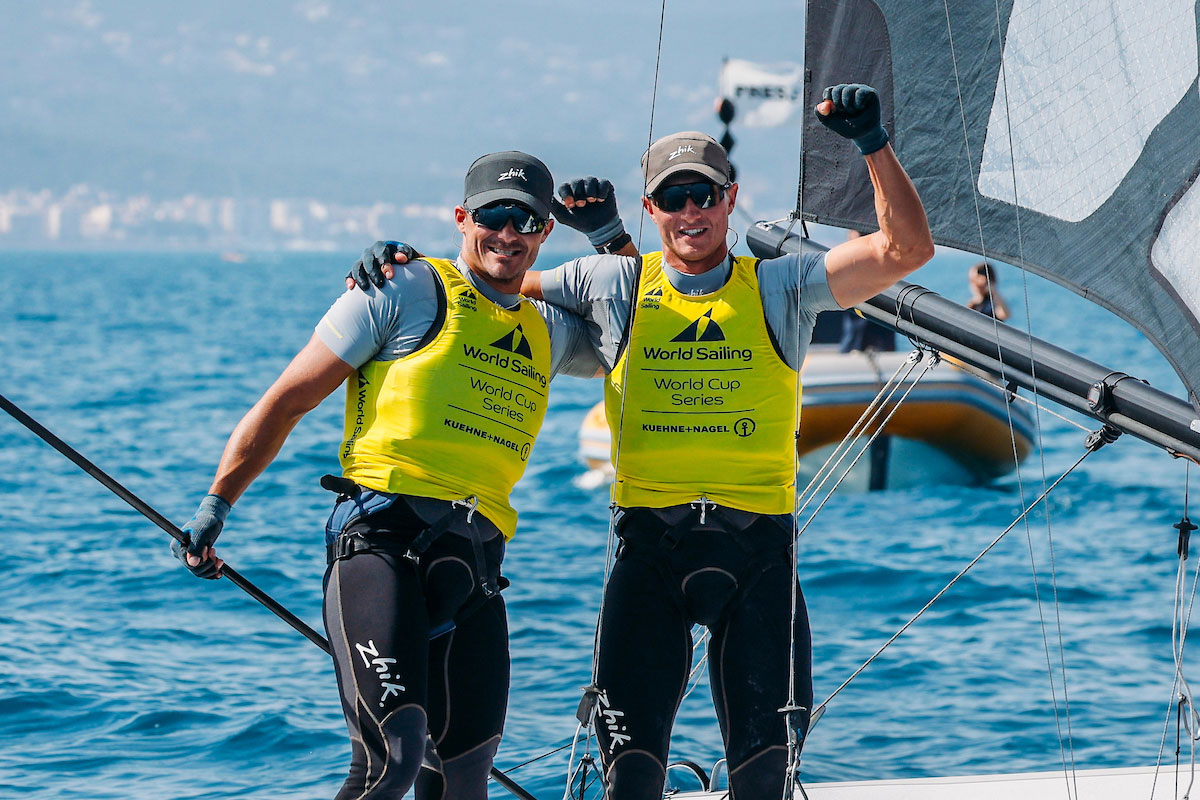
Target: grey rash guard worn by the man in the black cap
x,y
389,323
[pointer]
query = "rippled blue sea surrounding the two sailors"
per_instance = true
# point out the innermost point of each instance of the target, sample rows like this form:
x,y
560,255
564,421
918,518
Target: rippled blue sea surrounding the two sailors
x,y
122,676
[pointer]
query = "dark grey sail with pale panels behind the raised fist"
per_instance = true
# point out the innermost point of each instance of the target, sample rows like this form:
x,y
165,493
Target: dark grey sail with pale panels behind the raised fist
x,y
1060,136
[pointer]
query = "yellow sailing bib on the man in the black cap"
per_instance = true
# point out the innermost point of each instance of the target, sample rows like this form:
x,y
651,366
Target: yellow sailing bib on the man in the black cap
x,y
459,417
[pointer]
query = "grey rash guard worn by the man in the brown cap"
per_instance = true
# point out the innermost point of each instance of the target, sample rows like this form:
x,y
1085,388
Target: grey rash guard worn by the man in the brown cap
x,y
599,288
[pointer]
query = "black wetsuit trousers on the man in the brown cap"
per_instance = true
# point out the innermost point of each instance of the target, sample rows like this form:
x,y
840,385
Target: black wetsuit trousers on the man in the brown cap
x,y
740,587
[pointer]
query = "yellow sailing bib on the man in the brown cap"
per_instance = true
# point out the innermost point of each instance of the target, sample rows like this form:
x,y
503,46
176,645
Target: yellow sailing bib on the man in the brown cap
x,y
711,407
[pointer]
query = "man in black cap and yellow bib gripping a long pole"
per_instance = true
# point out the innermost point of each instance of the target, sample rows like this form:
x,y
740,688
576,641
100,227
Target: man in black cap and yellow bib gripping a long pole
x,y
447,374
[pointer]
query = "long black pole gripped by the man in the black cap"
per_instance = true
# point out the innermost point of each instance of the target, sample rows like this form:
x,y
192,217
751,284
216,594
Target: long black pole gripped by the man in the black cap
x,y
227,572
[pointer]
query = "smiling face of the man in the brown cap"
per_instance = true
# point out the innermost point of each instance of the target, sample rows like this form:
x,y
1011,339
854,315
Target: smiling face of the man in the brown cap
x,y
693,238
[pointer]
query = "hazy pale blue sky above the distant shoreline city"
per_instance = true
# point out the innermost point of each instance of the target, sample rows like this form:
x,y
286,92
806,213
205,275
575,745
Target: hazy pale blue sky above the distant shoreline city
x,y
358,103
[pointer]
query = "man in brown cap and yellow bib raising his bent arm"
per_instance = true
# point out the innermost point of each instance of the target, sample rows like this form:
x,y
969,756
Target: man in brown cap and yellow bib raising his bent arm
x,y
703,354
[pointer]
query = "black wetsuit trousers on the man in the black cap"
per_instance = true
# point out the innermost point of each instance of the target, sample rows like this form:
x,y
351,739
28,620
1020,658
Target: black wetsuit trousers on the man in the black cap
x,y
407,697
